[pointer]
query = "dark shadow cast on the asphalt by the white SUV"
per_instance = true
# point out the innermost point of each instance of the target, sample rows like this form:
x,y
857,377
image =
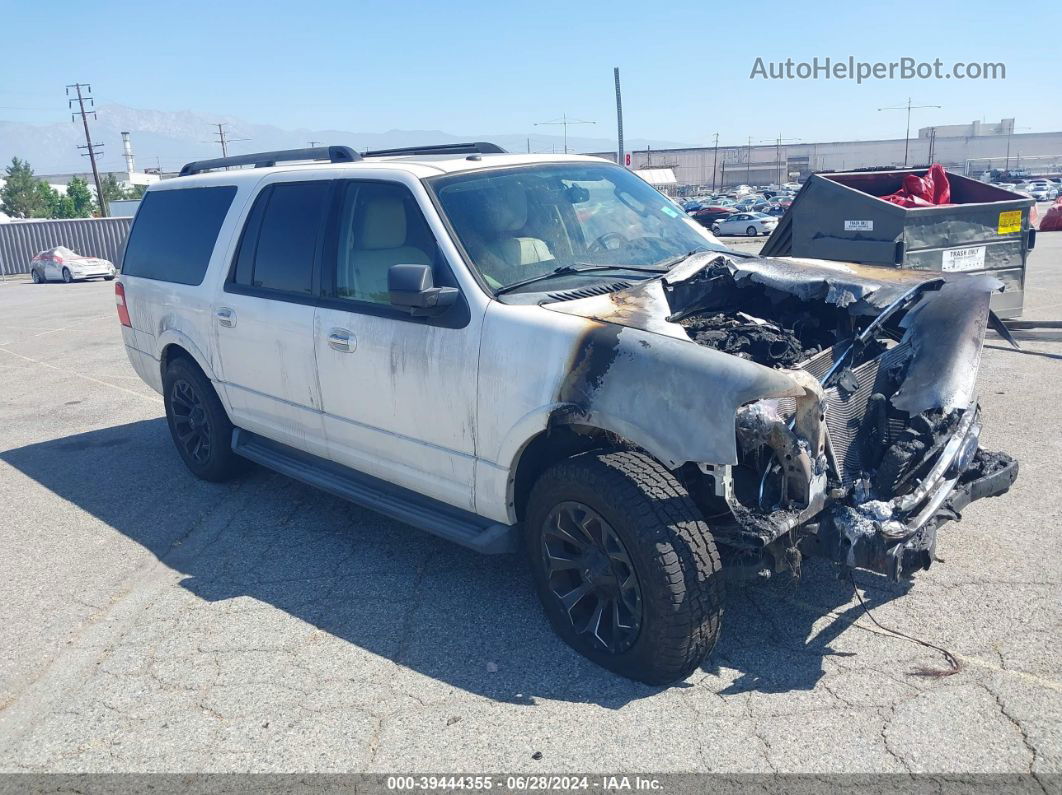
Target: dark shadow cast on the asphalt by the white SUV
x,y
437,609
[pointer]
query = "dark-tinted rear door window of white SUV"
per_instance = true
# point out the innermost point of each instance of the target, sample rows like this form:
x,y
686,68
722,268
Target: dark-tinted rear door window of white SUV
x,y
280,243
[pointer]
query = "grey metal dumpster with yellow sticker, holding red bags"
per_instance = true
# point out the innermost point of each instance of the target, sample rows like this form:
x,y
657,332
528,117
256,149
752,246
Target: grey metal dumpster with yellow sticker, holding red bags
x,y
841,217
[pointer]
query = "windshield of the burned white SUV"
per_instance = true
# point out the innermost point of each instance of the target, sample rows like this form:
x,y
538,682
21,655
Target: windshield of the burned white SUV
x,y
520,224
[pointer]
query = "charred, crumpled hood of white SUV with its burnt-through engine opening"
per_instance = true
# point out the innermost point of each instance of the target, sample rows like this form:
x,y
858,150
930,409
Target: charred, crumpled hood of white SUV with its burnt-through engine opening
x,y
786,314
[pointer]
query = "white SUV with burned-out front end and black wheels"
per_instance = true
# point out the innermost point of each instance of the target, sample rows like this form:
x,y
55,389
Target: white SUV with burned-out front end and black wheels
x,y
512,351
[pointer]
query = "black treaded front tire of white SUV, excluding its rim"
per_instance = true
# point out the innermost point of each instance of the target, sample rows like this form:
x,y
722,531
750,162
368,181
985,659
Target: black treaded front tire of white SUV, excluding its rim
x,y
671,546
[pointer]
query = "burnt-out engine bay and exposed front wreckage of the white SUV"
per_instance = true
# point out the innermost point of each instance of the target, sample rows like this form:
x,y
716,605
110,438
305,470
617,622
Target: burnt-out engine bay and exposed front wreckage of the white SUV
x,y
876,469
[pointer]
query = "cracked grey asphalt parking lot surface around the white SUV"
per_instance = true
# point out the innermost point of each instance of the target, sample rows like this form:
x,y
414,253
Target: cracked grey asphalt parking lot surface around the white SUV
x,y
155,623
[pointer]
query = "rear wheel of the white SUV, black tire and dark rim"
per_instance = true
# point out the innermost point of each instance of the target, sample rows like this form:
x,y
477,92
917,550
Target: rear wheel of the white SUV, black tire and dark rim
x,y
199,424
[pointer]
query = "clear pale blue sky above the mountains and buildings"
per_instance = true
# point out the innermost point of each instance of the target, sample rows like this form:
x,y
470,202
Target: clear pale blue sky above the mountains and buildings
x,y
466,66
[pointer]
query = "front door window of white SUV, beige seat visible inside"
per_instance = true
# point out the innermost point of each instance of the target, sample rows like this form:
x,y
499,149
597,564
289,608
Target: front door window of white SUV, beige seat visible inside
x,y
380,226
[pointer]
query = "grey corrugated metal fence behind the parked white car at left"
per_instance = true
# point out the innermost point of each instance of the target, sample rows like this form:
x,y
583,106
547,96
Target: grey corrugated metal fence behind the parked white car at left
x,y
94,237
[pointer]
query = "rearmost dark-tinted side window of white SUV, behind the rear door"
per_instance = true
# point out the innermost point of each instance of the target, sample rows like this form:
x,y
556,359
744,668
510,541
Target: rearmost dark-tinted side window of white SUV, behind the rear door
x,y
175,234
